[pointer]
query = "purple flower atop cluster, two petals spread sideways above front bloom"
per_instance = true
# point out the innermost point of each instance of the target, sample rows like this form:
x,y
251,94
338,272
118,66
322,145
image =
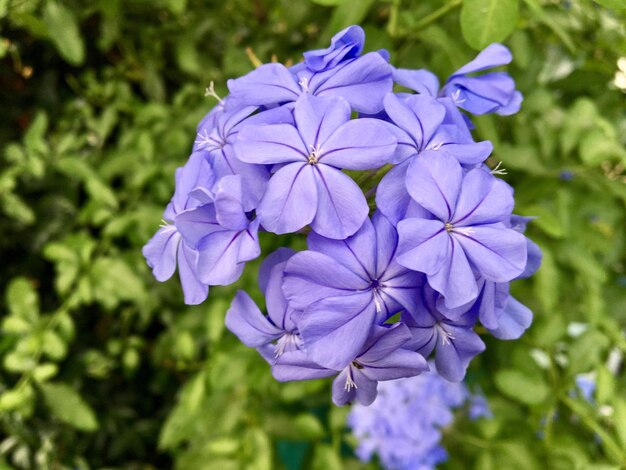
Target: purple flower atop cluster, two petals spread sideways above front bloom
x,y
362,81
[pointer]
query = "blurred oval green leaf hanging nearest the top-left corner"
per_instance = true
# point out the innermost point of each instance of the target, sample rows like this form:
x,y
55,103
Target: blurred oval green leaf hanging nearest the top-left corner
x,y
63,31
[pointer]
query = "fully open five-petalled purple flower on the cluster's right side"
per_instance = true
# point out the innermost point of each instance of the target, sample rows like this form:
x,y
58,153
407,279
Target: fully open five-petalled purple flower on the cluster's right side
x,y
466,234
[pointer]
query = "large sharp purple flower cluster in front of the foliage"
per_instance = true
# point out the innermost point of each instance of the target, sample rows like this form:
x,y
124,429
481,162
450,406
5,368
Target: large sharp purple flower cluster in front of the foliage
x,y
372,297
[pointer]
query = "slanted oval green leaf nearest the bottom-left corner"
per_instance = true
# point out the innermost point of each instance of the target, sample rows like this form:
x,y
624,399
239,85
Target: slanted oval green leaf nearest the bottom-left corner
x,y
69,407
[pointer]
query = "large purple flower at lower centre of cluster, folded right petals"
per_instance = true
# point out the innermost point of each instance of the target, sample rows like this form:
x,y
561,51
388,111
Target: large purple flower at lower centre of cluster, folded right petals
x,y
344,287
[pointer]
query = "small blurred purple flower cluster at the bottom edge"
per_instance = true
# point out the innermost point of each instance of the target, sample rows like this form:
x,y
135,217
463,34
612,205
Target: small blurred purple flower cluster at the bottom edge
x,y
403,426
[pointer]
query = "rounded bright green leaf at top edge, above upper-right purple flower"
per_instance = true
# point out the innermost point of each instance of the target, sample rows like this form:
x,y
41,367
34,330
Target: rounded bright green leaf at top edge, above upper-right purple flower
x,y
486,21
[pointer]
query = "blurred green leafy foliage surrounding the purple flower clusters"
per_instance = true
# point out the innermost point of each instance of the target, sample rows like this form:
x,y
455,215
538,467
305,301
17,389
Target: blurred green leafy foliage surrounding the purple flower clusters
x,y
101,366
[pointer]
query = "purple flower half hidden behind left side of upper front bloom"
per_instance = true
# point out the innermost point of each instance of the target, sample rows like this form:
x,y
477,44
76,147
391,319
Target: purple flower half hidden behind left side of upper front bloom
x,y
215,139
